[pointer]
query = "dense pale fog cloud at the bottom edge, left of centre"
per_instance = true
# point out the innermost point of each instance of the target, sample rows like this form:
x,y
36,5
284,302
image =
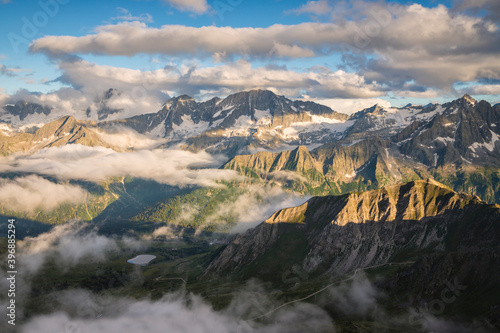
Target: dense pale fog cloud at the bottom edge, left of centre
x,y
86,312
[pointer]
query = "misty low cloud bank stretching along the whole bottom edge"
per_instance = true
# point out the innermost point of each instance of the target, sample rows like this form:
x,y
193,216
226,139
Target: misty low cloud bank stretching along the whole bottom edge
x,y
357,301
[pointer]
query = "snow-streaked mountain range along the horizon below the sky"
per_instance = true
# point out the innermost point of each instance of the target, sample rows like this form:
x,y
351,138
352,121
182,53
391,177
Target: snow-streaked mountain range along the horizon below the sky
x,y
463,131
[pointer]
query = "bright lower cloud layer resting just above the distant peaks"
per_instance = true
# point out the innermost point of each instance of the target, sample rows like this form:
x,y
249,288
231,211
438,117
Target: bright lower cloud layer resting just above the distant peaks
x,y
144,91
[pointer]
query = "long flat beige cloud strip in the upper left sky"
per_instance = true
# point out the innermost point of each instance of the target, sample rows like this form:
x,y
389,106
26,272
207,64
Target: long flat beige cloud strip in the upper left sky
x,y
136,38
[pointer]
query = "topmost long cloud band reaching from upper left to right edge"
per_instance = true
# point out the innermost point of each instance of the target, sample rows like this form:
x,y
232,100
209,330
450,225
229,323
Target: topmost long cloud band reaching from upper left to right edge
x,y
441,32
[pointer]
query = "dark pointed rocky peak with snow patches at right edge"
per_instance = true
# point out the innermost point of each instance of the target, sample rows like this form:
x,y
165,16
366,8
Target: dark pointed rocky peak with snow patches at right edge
x,y
465,132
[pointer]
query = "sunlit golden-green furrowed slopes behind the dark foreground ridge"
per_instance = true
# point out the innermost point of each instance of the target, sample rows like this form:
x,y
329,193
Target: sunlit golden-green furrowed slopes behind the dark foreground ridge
x,y
325,170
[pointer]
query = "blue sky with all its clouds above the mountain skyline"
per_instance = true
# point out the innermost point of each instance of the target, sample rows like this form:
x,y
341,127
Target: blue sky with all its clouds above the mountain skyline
x,y
402,59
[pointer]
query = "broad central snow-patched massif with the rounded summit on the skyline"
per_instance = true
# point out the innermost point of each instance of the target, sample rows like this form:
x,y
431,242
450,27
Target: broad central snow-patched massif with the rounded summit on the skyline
x,y
182,117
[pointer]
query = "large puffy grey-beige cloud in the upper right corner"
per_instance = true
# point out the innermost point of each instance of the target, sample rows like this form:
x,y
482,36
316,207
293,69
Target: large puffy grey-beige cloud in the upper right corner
x,y
443,52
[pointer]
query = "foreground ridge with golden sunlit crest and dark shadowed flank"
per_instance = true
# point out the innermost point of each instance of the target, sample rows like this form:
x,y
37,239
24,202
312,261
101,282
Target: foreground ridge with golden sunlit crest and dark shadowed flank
x,y
338,234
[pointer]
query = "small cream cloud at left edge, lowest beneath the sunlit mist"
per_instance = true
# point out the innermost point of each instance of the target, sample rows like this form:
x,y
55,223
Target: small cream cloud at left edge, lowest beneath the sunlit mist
x,y
32,193
